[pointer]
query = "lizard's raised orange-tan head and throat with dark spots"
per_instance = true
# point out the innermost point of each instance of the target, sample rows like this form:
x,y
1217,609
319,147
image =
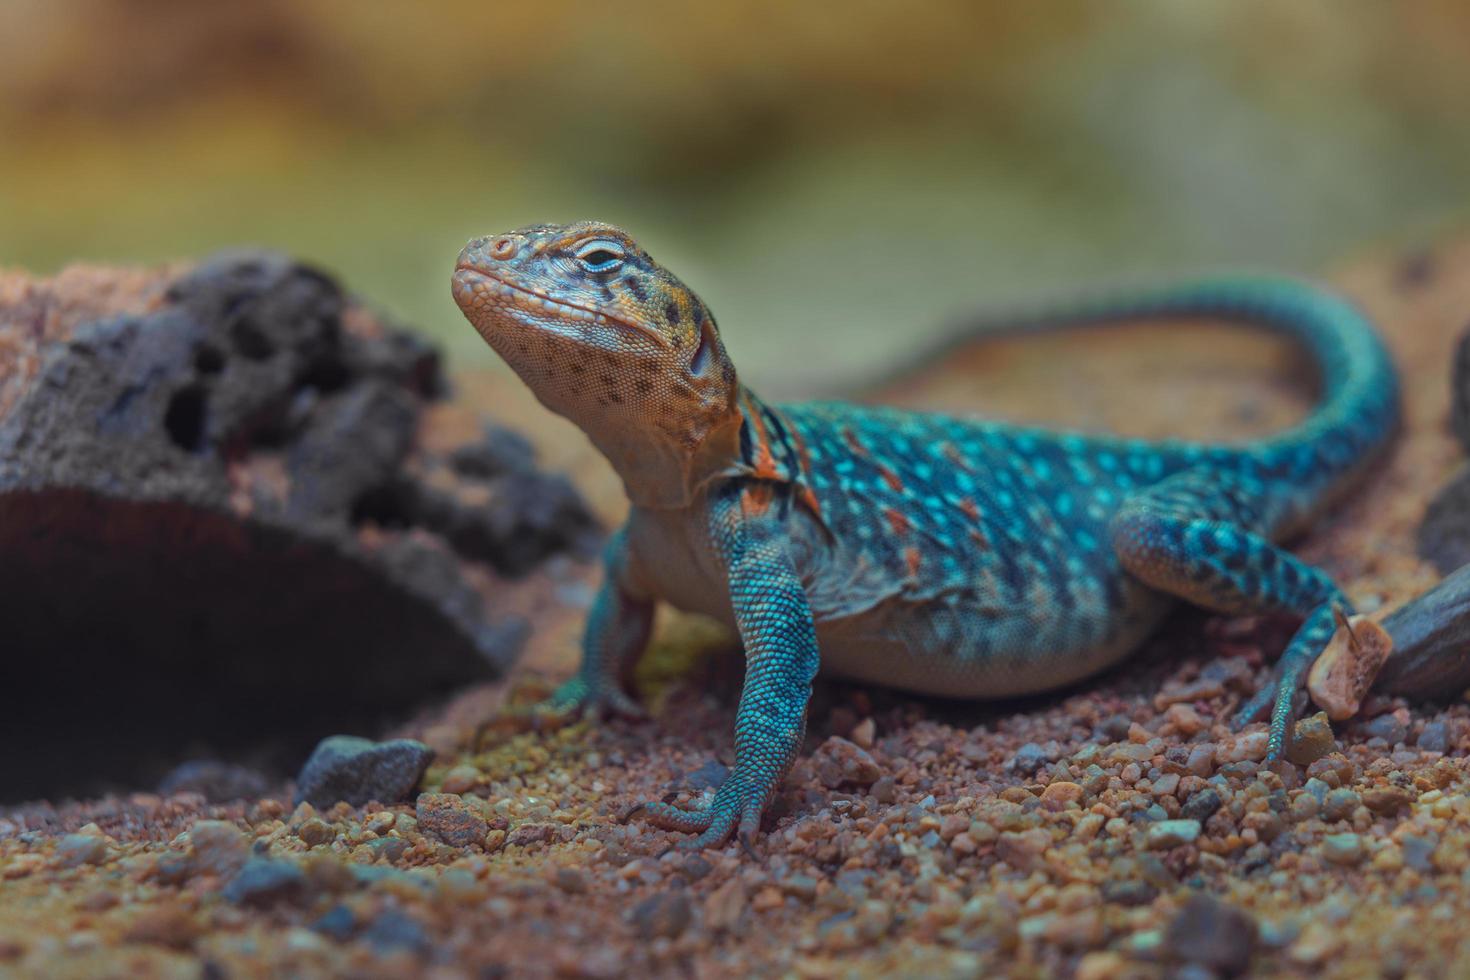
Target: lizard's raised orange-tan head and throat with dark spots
x,y
614,342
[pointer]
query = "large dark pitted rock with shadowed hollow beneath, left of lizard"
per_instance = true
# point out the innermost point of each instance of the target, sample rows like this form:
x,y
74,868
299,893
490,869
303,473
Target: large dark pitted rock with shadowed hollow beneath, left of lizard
x,y
220,533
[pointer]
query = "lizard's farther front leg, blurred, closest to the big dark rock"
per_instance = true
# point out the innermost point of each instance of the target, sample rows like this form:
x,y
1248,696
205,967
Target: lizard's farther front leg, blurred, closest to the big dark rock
x,y
617,634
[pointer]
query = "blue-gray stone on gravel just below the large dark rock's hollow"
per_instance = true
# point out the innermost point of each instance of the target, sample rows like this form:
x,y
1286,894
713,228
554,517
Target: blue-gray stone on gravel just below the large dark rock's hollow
x,y
346,768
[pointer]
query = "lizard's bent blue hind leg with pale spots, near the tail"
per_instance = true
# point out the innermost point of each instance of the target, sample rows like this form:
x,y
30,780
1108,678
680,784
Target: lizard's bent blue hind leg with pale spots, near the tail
x,y
1193,537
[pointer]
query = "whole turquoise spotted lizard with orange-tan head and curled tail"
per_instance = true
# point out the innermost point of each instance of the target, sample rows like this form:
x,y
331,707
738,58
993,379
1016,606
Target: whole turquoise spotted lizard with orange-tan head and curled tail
x,y
934,555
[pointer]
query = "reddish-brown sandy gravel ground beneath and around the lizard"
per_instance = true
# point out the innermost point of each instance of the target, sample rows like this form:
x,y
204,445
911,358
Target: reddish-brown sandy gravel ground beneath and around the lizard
x,y
1111,831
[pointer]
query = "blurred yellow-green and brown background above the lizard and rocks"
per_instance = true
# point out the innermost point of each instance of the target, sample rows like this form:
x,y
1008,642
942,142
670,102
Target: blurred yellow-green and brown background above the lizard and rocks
x,y
833,179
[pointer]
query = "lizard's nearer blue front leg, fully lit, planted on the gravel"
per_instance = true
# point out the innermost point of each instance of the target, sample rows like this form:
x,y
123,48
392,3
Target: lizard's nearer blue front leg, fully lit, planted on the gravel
x,y
781,660
